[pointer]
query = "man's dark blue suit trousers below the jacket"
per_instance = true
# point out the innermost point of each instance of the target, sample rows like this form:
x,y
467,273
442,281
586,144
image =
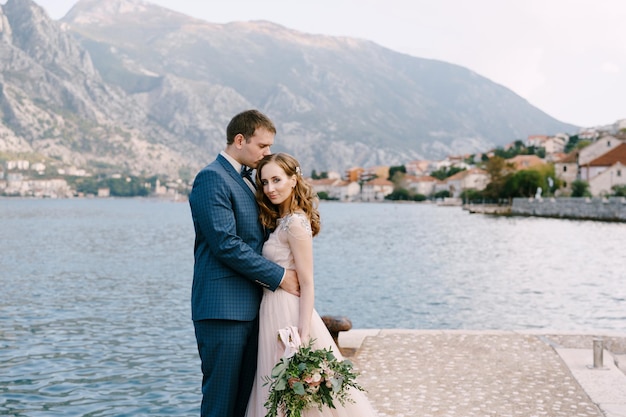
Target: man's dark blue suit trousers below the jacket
x,y
228,352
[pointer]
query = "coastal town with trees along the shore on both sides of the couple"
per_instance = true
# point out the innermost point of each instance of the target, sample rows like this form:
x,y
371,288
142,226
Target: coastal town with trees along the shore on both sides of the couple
x,y
594,157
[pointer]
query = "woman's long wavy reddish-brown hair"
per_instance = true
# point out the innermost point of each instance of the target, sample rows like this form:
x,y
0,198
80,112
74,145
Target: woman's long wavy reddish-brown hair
x,y
303,197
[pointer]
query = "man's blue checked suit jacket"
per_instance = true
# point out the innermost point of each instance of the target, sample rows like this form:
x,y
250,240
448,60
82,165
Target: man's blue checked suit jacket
x,y
229,270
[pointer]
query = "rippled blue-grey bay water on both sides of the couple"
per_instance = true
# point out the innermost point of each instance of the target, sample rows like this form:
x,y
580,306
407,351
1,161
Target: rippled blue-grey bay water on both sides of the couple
x,y
94,294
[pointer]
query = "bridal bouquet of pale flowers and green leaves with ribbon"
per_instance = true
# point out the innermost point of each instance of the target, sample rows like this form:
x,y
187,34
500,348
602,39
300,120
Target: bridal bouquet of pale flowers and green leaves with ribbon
x,y
305,377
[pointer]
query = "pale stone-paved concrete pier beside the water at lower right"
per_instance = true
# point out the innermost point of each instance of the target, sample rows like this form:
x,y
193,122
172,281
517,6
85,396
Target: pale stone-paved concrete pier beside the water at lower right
x,y
489,373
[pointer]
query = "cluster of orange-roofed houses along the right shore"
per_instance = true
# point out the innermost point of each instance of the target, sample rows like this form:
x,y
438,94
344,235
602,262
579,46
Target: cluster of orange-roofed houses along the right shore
x,y
599,164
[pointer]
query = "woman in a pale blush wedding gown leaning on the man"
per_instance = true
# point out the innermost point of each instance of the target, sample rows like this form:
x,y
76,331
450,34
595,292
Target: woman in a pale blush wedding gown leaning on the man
x,y
288,206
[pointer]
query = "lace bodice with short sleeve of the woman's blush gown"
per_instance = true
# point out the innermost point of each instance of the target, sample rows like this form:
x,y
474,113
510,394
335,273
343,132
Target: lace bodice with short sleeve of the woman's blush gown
x,y
277,246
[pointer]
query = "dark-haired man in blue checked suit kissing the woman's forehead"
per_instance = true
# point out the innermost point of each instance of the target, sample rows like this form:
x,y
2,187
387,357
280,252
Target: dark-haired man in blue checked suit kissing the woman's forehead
x,y
229,271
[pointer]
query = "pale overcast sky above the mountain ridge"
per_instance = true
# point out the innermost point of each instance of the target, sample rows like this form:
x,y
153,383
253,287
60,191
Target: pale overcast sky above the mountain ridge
x,y
567,57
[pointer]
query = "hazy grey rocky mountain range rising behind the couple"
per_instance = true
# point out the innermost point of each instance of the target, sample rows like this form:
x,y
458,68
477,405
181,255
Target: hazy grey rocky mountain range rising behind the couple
x,y
124,84
